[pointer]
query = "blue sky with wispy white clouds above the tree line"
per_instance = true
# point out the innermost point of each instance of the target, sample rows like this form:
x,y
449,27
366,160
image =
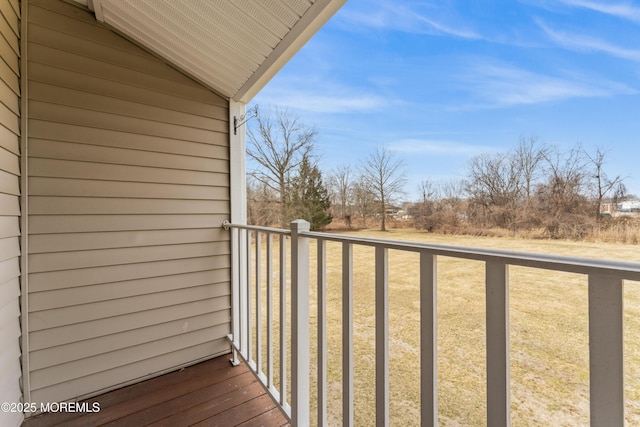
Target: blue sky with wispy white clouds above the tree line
x,y
440,81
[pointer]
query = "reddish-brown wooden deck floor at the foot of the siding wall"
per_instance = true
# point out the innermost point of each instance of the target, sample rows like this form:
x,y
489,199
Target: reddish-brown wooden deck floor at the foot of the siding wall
x,y
211,393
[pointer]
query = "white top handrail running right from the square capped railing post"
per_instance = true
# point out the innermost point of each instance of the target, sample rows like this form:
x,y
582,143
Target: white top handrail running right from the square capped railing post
x,y
621,269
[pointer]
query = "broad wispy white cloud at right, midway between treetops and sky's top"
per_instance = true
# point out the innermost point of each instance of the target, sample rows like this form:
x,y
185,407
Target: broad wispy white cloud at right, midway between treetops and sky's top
x,y
497,85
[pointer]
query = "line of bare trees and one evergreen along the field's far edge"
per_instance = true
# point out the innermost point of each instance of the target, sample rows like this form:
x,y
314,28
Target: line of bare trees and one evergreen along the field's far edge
x,y
531,186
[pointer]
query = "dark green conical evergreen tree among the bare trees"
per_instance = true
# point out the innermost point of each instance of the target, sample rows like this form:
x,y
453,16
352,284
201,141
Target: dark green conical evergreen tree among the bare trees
x,y
310,198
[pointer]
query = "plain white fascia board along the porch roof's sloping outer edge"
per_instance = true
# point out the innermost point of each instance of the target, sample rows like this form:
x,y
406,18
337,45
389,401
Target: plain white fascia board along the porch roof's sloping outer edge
x,y
317,15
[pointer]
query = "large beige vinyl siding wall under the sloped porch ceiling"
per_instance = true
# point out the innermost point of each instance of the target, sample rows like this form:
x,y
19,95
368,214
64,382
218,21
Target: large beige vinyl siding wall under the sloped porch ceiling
x,y
128,184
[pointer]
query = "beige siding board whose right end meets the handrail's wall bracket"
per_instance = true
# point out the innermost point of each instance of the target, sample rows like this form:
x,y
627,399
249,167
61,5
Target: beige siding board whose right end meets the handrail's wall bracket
x,y
111,240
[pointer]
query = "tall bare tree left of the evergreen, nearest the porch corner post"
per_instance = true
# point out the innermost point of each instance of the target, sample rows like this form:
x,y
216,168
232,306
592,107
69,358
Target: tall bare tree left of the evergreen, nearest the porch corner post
x,y
278,145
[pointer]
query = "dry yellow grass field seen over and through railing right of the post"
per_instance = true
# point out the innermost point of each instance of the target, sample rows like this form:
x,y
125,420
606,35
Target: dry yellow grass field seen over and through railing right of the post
x,y
548,332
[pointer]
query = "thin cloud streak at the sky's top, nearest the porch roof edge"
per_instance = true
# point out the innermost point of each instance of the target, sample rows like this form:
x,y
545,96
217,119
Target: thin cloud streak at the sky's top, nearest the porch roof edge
x,y
395,16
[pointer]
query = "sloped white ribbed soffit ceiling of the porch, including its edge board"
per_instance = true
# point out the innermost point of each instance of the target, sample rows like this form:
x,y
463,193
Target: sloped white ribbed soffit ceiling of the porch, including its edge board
x,y
232,46
